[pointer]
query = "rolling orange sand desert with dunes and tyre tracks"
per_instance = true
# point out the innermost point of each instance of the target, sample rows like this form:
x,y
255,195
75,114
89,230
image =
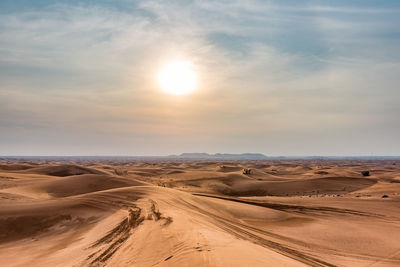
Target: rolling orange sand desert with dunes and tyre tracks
x,y
199,213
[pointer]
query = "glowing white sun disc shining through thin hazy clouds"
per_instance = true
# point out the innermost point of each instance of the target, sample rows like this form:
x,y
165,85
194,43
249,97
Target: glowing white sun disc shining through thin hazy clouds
x,y
177,78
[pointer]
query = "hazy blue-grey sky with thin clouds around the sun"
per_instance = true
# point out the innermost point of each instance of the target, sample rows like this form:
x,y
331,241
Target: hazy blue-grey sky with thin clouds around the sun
x,y
275,77
